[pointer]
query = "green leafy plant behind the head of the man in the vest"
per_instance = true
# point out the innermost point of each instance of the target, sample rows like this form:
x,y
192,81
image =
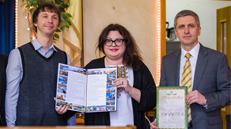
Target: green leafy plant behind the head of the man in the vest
x,y
31,5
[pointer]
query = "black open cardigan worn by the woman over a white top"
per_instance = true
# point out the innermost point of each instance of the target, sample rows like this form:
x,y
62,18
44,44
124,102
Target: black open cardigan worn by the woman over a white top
x,y
143,81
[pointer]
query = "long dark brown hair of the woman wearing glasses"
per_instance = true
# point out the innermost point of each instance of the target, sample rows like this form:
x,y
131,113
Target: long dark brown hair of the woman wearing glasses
x,y
131,57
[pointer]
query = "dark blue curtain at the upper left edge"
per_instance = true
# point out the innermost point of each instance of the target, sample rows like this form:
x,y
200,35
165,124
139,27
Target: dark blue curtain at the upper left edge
x,y
7,26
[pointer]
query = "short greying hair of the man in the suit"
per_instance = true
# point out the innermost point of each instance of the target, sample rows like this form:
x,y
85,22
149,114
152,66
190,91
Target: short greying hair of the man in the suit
x,y
187,13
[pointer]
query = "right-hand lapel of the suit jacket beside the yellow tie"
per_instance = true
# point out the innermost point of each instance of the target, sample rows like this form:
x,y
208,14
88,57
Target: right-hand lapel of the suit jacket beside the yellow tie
x,y
200,66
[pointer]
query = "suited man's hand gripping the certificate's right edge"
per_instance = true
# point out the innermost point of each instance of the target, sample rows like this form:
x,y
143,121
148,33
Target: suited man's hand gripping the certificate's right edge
x,y
195,97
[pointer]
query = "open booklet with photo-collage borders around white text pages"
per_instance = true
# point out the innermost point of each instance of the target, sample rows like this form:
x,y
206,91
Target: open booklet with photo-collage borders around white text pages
x,y
86,90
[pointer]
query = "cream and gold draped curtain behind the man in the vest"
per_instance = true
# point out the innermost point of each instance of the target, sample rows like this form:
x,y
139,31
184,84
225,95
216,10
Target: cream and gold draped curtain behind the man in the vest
x,y
72,37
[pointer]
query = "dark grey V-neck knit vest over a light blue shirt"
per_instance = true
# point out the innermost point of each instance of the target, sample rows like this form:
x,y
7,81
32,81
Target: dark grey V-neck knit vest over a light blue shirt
x,y
36,105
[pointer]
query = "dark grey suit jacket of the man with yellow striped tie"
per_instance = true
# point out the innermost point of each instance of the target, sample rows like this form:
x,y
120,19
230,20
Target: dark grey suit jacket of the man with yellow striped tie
x,y
212,79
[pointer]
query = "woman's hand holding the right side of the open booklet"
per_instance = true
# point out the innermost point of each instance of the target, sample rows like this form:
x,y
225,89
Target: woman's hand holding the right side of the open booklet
x,y
123,83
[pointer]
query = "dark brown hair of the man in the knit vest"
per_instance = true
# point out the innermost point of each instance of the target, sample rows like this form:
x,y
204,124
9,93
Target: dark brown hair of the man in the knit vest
x,y
45,7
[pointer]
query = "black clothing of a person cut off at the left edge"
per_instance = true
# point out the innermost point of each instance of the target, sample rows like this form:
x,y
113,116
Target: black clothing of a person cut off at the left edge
x,y
3,63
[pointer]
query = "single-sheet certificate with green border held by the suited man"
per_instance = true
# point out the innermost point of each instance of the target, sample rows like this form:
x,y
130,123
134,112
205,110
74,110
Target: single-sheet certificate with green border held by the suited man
x,y
171,108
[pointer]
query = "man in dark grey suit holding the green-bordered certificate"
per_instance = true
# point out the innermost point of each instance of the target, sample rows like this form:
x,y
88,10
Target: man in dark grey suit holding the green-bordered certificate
x,y
209,74
